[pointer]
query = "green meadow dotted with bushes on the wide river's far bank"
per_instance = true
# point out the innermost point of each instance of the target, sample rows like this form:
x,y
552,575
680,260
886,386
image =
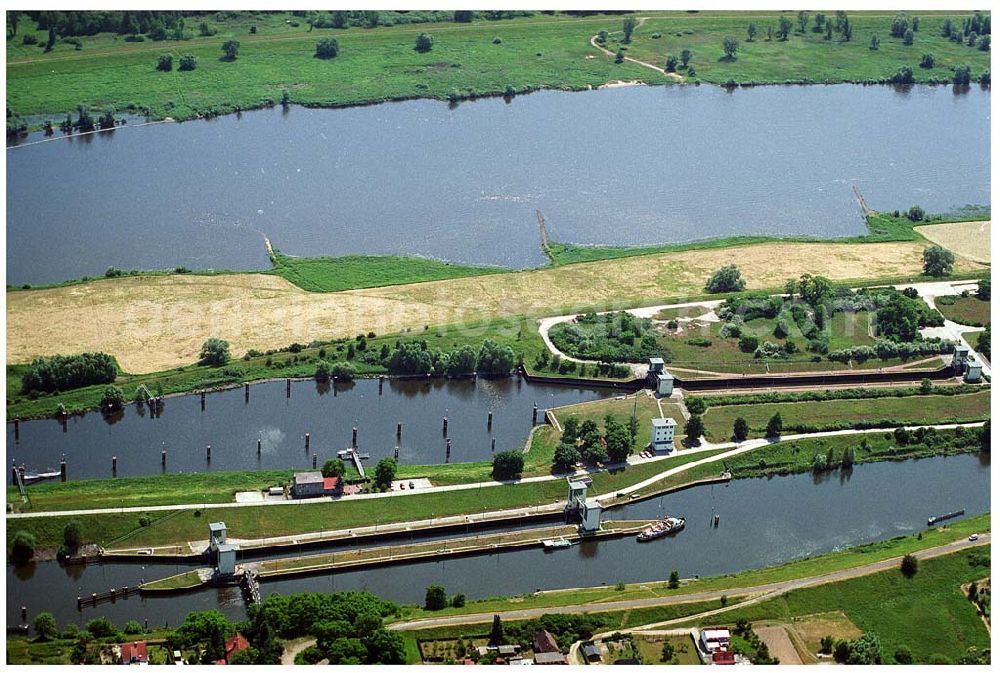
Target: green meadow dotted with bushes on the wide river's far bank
x,y
381,64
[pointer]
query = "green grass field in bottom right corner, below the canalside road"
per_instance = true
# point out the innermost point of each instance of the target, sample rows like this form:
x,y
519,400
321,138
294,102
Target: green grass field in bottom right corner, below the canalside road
x,y
928,613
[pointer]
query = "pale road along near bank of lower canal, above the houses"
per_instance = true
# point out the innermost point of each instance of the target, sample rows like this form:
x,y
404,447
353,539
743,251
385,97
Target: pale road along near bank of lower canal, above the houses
x,y
758,593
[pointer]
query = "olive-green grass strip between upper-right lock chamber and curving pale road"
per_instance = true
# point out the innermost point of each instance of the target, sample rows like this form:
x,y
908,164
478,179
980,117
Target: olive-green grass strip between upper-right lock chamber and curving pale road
x,y
836,414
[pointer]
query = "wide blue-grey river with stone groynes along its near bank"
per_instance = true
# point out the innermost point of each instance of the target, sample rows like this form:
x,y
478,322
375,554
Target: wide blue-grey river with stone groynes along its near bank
x,y
625,166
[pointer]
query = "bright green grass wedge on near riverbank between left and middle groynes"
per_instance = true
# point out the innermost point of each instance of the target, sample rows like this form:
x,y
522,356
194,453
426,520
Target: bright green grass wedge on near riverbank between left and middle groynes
x,y
334,274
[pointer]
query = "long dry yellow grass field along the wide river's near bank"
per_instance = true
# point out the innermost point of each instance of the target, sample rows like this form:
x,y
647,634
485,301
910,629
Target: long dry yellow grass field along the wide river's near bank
x,y
157,322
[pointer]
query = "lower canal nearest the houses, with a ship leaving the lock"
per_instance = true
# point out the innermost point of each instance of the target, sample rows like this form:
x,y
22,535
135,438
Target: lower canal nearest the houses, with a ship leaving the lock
x,y
763,522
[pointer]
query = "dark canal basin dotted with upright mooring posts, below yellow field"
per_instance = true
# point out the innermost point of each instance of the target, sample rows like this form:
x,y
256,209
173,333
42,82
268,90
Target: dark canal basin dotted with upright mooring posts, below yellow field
x,y
232,423
